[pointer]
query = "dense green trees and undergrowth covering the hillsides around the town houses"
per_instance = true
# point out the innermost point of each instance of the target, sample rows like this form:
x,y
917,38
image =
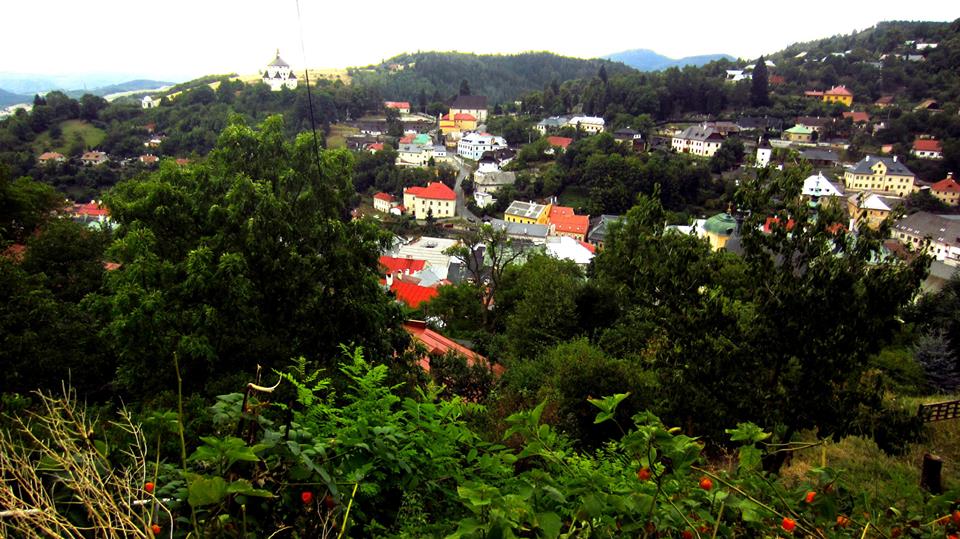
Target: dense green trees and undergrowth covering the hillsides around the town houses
x,y
223,359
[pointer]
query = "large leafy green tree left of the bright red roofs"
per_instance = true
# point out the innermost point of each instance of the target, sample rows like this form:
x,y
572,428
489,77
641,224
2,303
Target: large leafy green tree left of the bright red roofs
x,y
249,258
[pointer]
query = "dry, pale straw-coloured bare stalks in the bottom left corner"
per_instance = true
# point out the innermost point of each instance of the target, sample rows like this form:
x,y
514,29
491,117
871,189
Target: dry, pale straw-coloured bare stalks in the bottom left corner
x,y
57,479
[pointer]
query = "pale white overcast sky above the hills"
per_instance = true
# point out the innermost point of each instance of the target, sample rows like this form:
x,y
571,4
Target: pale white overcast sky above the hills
x,y
180,39
